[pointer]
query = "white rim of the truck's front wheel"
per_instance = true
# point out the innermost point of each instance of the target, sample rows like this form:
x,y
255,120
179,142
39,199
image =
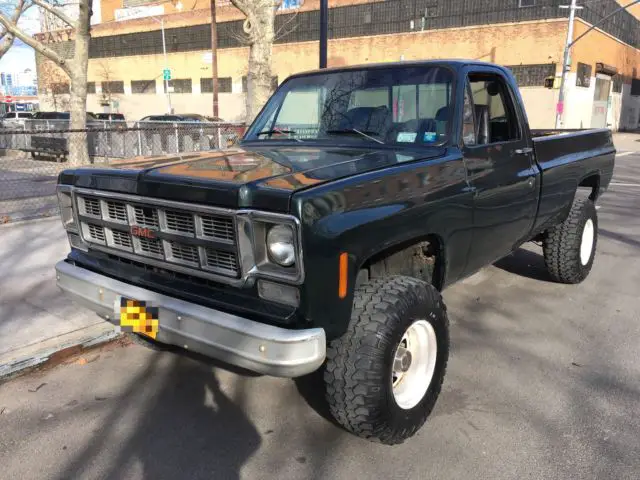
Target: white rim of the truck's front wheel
x,y
412,374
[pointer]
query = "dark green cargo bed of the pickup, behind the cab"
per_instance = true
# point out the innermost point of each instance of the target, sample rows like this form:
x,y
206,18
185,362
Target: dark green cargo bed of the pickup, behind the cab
x,y
567,159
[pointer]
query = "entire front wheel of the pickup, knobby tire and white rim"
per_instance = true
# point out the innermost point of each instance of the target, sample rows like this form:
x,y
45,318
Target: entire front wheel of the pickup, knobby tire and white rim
x,y
384,375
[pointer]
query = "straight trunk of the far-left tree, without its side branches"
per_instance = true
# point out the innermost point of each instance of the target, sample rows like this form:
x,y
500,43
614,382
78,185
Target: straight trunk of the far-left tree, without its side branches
x,y
78,147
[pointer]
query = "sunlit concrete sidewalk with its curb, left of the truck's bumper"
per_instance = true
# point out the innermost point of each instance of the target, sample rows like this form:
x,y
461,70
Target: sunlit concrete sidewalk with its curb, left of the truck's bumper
x,y
36,319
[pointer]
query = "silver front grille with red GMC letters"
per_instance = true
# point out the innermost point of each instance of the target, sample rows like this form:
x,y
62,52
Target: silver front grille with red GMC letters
x,y
202,242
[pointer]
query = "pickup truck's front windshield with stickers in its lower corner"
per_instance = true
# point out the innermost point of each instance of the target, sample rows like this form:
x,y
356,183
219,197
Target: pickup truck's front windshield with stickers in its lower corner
x,y
395,105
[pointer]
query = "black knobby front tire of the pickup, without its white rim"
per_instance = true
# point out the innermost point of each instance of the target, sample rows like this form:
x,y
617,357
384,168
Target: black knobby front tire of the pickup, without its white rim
x,y
354,371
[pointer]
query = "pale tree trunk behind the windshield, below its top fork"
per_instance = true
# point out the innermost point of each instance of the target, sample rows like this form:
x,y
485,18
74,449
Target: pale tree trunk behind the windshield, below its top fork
x,y
262,36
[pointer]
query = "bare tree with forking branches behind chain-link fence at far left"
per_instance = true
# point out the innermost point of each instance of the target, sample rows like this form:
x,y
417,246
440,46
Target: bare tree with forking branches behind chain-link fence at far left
x,y
75,68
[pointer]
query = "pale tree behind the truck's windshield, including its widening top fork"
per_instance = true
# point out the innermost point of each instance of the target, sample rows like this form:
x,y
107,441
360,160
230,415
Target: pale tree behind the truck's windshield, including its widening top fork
x,y
259,34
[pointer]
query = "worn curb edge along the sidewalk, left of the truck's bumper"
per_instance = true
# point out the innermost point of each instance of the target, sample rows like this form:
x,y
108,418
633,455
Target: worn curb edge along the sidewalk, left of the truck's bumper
x,y
62,346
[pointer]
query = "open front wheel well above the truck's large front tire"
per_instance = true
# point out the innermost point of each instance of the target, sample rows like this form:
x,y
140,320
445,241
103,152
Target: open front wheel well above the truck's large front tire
x,y
421,259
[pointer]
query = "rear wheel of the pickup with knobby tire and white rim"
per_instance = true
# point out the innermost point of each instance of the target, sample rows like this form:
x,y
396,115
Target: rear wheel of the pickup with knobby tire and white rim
x,y
570,247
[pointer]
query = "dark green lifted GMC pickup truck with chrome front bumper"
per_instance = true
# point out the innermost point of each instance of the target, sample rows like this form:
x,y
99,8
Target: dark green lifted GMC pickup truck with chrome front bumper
x,y
324,238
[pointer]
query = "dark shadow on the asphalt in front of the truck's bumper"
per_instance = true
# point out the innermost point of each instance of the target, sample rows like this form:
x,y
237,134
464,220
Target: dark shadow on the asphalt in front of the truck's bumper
x,y
189,427
